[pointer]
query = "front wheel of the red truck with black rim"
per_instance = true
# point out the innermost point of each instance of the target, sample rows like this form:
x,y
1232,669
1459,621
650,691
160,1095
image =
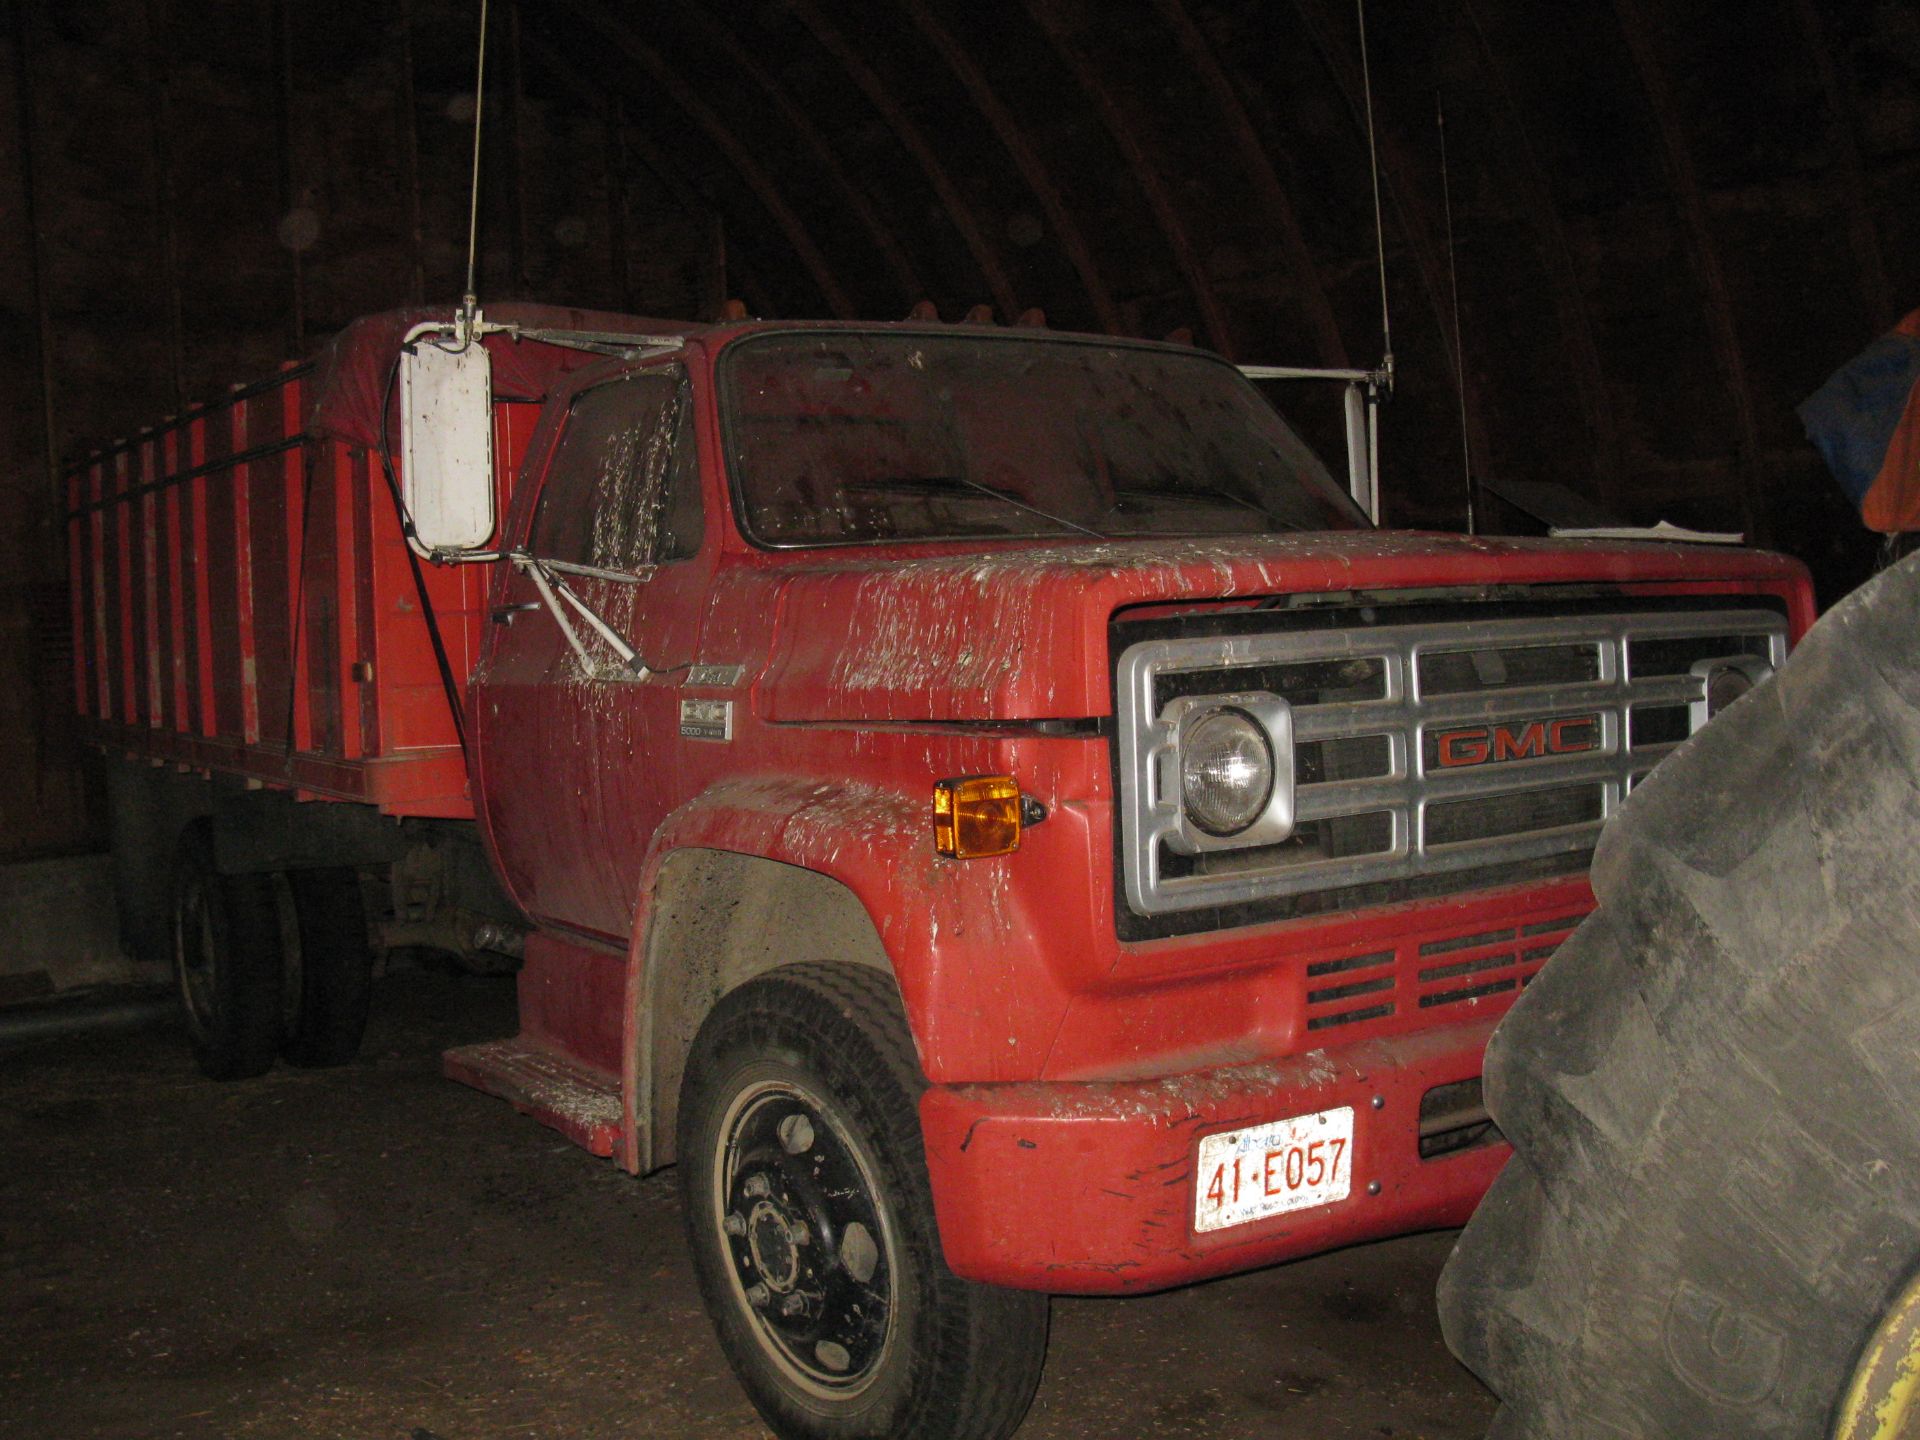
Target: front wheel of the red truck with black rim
x,y
813,1232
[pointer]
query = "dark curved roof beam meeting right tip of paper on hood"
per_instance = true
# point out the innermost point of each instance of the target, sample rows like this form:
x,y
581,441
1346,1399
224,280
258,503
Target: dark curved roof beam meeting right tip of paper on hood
x,y
1702,251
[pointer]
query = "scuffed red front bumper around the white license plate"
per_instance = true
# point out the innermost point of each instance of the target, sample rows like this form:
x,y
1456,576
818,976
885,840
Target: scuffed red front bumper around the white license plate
x,y
1090,1188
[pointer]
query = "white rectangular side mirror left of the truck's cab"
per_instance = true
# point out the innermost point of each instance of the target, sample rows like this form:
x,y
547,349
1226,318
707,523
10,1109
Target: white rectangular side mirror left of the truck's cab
x,y
446,406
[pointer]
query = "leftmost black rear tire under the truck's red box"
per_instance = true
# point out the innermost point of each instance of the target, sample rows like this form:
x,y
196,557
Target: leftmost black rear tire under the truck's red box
x,y
226,961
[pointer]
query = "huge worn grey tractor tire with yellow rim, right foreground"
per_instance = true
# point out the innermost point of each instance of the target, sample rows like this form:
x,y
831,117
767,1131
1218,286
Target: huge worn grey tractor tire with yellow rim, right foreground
x,y
1712,1220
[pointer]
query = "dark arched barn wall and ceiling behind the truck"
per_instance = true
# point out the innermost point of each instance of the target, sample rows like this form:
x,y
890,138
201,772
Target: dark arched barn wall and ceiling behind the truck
x,y
1671,220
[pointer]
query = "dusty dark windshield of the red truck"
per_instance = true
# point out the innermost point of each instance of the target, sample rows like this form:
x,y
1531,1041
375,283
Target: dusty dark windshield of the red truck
x,y
846,439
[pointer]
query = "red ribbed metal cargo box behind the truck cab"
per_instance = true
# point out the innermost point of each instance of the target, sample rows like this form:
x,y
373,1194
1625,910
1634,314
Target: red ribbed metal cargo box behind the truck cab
x,y
249,587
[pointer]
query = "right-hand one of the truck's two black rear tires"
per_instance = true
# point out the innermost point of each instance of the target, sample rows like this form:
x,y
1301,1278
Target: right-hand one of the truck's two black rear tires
x,y
335,972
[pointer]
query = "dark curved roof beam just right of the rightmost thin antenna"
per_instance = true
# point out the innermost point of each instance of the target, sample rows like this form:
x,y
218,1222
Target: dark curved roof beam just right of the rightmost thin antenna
x,y
1556,251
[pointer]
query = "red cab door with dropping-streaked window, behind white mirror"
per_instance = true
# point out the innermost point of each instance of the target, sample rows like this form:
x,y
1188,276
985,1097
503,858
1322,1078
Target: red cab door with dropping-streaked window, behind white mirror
x,y
575,744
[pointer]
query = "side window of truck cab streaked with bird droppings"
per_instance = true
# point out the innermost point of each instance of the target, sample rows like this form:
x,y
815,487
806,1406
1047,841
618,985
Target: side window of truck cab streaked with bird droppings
x,y
625,485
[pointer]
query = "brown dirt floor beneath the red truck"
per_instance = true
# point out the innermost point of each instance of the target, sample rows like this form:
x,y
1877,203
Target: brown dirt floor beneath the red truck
x,y
375,1253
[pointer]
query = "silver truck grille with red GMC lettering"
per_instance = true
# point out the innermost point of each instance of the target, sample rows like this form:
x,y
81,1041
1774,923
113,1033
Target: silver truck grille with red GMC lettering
x,y
1416,750
